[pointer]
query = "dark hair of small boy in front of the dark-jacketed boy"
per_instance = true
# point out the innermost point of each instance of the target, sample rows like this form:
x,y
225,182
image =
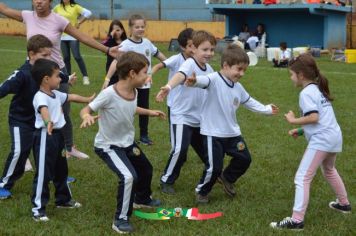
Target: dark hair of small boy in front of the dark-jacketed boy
x,y
41,68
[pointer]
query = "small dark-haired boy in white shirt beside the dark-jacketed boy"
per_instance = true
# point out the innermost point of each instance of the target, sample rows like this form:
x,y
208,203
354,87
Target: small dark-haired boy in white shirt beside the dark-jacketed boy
x,y
51,165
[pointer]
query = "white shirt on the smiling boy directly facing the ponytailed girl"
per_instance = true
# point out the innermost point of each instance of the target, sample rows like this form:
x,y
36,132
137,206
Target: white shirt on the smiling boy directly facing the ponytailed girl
x,y
224,97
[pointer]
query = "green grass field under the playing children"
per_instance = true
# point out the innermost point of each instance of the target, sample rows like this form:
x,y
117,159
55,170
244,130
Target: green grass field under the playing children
x,y
265,192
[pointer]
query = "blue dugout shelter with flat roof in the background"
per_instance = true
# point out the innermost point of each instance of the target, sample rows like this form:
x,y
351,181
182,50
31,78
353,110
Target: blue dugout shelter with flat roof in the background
x,y
297,24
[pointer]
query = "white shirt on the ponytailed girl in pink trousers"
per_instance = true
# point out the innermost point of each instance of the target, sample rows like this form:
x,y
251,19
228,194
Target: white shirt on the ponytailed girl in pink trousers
x,y
326,134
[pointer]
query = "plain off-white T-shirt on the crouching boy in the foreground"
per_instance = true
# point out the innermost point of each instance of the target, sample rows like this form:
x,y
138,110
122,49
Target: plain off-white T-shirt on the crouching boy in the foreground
x,y
116,119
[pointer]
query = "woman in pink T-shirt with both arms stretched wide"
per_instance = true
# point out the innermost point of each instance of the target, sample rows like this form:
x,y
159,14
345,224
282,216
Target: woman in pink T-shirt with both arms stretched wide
x,y
43,21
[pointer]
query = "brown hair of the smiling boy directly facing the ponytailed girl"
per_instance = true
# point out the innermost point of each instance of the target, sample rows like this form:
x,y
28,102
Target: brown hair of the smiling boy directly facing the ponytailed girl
x,y
234,55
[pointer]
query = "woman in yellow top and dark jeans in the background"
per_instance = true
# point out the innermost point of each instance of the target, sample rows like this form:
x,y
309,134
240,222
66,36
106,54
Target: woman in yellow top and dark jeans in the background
x,y
76,15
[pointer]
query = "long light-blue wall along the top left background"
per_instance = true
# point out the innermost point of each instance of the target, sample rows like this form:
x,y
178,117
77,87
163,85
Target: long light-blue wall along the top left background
x,y
192,10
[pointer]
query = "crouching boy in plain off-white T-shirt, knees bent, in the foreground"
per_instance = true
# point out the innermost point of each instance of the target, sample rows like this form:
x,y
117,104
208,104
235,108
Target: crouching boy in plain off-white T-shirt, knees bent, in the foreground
x,y
114,143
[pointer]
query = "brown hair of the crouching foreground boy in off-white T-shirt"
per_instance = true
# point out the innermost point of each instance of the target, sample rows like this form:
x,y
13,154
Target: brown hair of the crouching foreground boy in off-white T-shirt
x,y
130,61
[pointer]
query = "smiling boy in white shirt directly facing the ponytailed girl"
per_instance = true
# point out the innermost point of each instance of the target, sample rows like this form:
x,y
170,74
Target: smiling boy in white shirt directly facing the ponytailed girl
x,y
218,125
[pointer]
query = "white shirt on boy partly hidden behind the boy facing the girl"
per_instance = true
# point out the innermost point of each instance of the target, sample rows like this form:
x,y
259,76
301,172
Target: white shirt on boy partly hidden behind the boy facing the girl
x,y
187,102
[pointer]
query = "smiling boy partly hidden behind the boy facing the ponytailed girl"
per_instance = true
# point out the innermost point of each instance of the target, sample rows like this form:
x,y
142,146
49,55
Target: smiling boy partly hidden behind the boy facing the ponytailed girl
x,y
186,108
